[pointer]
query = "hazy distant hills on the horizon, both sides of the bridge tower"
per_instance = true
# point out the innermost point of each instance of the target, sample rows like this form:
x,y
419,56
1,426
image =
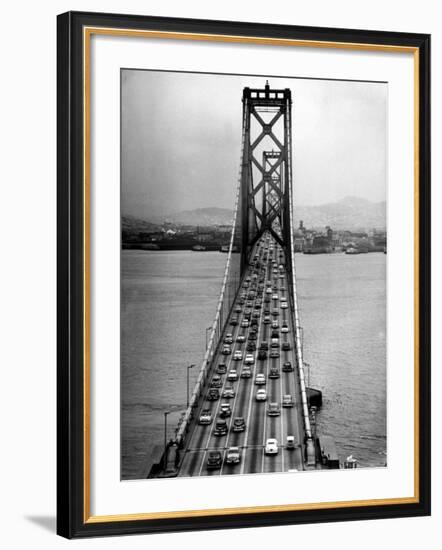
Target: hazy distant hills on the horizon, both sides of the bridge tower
x,y
349,213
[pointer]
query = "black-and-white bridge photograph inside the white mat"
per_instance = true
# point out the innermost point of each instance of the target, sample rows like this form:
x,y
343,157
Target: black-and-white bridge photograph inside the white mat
x,y
253,274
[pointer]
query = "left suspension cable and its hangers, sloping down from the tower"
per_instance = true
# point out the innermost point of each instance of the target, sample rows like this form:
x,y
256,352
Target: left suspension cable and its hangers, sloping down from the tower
x,y
229,289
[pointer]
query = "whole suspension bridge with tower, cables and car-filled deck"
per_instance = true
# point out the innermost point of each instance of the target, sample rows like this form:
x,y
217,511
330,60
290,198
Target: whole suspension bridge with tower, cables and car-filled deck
x,y
251,410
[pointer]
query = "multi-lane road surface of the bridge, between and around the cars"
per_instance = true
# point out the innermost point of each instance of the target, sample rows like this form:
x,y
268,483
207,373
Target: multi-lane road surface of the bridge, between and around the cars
x,y
259,426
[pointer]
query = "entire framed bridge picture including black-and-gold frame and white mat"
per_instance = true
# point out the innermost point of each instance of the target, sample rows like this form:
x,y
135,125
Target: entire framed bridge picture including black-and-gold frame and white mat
x,y
243,274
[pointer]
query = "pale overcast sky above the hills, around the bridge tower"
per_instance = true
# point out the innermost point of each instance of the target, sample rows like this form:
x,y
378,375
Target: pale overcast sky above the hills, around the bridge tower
x,y
181,137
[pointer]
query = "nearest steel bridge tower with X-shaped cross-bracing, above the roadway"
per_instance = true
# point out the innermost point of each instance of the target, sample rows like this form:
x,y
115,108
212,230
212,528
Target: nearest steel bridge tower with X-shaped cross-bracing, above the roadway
x,y
266,172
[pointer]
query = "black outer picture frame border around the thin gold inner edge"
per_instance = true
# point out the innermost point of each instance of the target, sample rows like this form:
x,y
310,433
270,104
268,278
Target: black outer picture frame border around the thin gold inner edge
x,y
72,520
